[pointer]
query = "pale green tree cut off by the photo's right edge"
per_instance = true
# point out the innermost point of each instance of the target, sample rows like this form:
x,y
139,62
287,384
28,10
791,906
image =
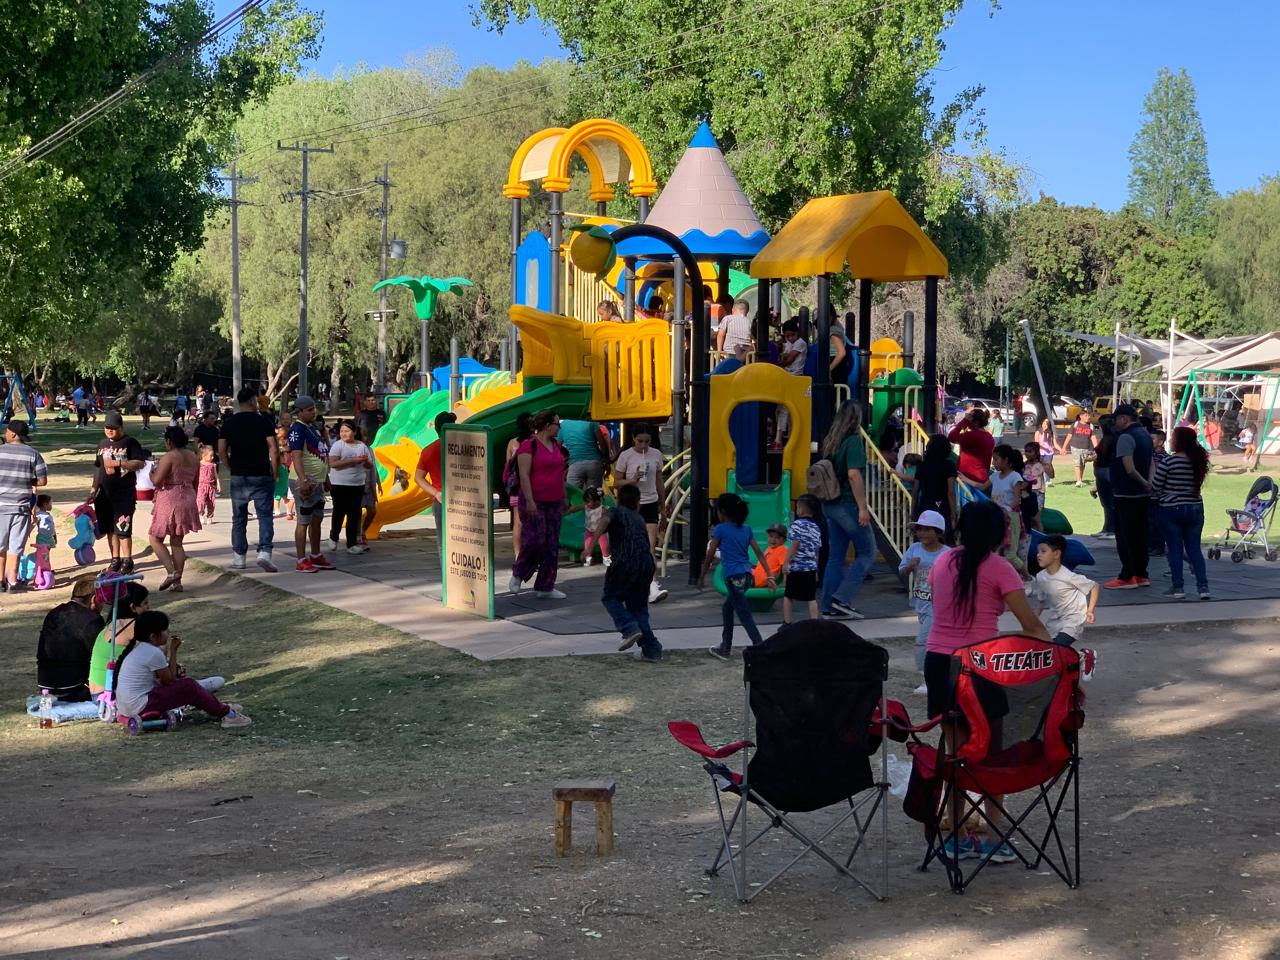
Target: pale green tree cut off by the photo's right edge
x,y
1244,262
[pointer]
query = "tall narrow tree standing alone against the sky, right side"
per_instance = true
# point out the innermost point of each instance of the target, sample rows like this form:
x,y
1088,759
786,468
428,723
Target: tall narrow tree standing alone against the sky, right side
x,y
1169,182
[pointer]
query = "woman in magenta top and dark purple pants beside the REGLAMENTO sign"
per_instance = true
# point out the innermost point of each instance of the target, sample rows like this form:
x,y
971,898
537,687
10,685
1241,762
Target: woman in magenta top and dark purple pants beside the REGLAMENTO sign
x,y
542,465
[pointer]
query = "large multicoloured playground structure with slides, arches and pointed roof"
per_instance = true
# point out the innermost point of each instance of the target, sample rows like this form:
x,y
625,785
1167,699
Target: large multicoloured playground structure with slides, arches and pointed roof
x,y
564,359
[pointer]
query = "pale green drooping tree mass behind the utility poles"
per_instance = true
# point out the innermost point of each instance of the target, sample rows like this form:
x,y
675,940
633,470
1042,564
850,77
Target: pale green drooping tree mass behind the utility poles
x,y
449,159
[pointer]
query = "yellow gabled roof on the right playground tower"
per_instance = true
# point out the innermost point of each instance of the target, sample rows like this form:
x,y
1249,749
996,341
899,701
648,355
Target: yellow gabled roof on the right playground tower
x,y
871,232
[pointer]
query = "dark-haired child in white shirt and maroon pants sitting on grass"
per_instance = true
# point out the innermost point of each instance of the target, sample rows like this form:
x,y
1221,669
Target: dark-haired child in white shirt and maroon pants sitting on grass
x,y
150,680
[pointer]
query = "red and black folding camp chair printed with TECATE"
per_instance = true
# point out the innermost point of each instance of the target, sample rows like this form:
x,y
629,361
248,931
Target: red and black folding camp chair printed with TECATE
x,y
1016,712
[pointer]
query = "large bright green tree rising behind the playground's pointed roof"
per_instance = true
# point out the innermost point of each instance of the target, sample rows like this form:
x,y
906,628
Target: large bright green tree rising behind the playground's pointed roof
x,y
807,99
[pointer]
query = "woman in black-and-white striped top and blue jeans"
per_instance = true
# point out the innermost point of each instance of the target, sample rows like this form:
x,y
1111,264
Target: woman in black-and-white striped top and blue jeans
x,y
1177,483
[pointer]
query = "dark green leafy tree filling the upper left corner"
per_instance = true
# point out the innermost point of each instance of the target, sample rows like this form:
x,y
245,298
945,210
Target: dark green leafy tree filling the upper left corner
x,y
86,228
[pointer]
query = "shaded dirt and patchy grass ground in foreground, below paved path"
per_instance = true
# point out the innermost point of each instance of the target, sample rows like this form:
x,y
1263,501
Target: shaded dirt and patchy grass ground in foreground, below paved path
x,y
394,801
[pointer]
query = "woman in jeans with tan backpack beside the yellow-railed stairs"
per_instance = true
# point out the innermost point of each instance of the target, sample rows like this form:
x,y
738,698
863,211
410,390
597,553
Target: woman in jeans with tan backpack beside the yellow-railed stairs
x,y
849,522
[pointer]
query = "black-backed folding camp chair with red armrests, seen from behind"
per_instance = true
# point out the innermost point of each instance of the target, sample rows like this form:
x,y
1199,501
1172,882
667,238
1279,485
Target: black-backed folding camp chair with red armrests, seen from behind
x,y
816,691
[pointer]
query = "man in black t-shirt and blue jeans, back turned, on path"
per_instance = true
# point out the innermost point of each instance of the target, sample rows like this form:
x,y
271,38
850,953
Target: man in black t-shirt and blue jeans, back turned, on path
x,y
248,446
